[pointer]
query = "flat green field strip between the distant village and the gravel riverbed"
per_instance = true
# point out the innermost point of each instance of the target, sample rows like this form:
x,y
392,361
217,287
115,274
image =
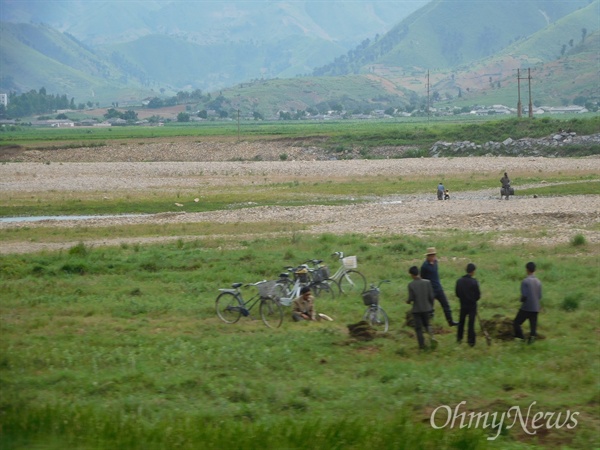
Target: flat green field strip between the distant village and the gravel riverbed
x,y
418,131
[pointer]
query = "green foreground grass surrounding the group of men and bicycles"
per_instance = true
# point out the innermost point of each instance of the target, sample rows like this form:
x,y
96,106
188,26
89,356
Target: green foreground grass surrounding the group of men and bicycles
x,y
121,348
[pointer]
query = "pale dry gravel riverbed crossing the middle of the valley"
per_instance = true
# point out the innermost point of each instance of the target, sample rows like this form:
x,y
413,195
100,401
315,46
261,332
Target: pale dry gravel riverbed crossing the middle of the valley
x,y
549,219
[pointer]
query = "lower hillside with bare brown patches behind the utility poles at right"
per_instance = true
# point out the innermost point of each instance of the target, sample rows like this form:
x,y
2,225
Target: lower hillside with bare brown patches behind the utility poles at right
x,y
562,55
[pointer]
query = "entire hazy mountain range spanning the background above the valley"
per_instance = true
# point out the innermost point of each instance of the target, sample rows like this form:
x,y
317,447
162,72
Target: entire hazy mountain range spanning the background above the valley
x,y
273,55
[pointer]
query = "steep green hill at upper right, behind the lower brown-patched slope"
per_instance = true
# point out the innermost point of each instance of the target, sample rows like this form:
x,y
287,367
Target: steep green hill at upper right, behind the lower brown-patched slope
x,y
450,33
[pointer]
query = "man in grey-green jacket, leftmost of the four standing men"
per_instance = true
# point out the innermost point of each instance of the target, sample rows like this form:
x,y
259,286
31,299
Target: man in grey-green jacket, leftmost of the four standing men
x,y
420,294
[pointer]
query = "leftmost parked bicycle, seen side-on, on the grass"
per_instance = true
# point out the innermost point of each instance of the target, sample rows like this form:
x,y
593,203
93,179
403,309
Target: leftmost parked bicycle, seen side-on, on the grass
x,y
230,304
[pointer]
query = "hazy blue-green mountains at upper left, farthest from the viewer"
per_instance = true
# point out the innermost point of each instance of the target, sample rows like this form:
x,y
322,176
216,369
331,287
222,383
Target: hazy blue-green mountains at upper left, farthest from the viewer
x,y
166,46
